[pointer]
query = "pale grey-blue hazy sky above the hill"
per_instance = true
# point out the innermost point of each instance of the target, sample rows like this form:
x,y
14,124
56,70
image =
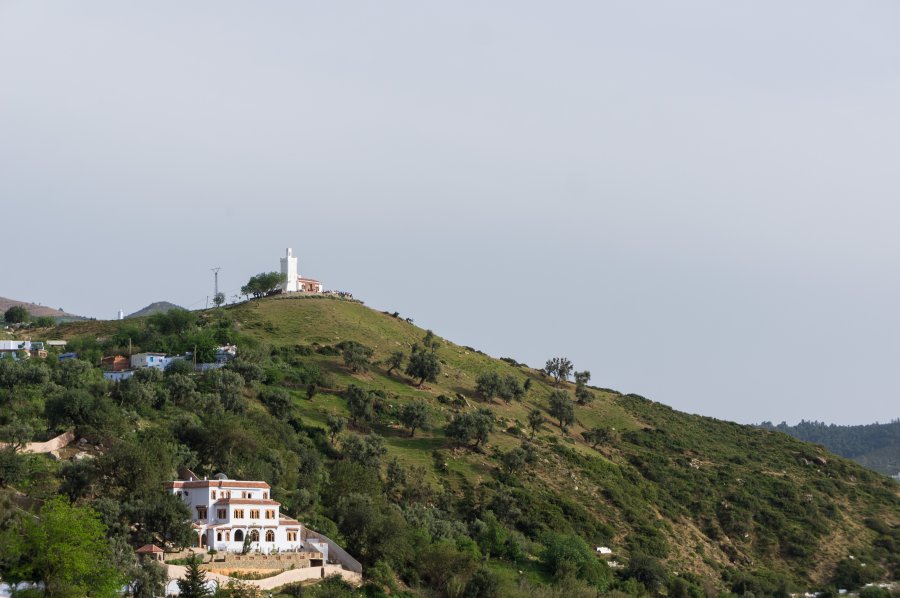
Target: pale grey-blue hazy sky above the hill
x,y
696,201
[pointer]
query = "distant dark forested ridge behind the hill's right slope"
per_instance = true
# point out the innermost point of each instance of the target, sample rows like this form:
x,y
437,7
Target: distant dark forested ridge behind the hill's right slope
x,y
876,446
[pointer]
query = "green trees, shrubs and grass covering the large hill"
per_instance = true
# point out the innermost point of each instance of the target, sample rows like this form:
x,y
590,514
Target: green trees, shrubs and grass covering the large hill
x,y
403,456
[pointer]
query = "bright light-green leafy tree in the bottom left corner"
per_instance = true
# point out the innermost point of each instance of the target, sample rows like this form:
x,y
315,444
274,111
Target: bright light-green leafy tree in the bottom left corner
x,y
64,548
